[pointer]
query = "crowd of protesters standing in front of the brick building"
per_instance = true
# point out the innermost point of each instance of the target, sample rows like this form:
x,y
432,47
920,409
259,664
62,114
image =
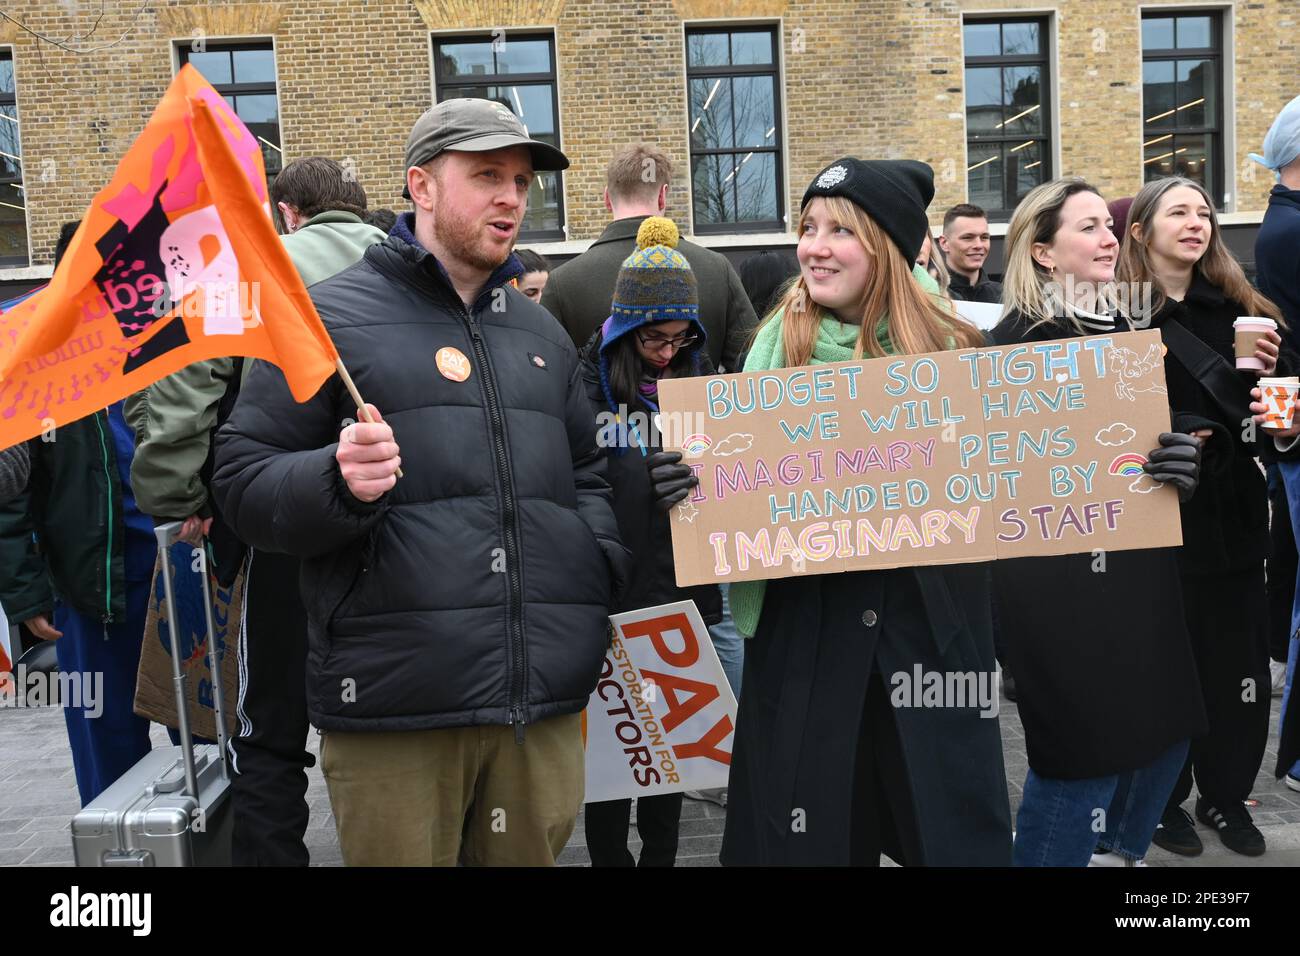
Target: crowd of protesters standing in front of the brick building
x,y
428,581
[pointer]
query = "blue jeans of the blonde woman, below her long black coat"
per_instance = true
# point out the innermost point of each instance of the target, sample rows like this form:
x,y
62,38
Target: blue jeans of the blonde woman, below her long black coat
x,y
1061,823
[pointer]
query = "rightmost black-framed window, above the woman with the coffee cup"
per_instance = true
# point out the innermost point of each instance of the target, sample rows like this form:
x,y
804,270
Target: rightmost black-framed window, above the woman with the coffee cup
x,y
1182,98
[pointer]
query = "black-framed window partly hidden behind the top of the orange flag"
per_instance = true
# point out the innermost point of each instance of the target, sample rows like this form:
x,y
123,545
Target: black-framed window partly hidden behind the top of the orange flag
x,y
245,75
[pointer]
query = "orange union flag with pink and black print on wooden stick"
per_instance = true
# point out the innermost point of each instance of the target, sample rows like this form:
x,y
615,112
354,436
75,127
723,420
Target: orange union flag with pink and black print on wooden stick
x,y
176,262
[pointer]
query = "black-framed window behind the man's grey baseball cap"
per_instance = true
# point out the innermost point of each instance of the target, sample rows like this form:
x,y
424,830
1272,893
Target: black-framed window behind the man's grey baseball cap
x,y
517,71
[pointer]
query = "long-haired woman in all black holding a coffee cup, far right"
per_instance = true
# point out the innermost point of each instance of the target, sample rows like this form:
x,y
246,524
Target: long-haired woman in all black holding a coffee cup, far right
x,y
1220,335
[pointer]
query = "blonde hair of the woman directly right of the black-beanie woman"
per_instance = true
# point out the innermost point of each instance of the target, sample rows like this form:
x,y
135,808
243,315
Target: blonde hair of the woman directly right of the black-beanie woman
x,y
1028,288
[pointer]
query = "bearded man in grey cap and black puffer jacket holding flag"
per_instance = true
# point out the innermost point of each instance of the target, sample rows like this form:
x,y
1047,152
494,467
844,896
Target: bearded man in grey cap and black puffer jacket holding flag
x,y
467,603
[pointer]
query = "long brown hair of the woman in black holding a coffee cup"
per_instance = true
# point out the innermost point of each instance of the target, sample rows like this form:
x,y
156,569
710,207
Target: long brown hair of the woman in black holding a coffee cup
x,y
1217,266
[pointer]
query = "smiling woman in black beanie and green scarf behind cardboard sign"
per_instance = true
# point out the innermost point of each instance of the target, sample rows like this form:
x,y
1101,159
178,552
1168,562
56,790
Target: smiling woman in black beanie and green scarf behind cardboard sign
x,y
824,769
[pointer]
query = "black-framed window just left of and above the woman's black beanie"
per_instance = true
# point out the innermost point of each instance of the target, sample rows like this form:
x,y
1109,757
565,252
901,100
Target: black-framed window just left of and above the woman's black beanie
x,y
733,80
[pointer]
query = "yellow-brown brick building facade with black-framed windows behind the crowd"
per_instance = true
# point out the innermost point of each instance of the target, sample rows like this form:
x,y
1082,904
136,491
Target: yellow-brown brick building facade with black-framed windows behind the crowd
x,y
887,79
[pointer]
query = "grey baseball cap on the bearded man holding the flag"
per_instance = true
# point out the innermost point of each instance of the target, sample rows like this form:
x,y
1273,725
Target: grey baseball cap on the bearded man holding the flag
x,y
475,126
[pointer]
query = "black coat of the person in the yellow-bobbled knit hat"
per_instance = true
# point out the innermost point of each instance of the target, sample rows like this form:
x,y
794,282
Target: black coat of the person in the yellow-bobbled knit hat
x,y
652,578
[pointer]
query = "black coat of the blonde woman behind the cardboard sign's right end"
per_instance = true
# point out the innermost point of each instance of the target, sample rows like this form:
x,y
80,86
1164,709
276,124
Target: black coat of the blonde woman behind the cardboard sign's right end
x,y
1103,660
